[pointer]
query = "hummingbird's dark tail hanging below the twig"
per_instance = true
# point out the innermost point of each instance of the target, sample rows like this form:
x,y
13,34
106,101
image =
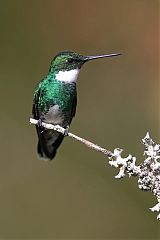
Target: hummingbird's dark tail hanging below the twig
x,y
48,143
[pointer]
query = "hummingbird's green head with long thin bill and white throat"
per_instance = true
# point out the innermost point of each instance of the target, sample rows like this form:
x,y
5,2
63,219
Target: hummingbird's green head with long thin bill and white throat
x,y
67,64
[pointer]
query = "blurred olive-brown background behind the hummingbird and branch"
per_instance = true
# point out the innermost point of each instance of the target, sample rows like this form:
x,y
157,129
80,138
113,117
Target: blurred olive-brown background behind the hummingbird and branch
x,y
76,196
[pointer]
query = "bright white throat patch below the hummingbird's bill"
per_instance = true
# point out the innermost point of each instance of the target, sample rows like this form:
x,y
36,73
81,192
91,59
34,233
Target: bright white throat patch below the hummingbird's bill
x,y
68,76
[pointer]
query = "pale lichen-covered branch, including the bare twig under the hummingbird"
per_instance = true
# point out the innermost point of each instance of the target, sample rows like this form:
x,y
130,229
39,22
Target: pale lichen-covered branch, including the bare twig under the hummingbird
x,y
148,172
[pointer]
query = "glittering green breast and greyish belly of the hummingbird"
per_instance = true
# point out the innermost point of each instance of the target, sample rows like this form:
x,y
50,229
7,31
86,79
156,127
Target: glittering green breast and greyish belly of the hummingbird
x,y
56,102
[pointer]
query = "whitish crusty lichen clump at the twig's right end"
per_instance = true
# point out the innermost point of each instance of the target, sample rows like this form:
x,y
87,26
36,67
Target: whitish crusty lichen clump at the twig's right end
x,y
148,172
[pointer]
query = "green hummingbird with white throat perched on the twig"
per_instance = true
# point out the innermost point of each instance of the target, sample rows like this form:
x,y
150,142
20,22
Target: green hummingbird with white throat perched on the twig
x,y
55,99
